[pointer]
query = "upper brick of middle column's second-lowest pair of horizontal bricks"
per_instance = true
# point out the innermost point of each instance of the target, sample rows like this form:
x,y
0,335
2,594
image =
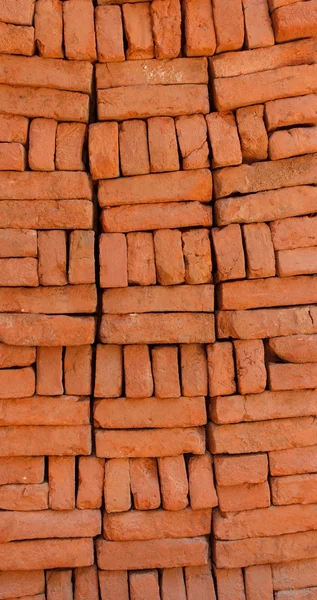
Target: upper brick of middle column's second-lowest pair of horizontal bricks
x,y
140,413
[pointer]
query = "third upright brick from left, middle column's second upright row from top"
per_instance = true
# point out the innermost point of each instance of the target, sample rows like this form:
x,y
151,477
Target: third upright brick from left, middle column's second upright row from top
x,y
162,144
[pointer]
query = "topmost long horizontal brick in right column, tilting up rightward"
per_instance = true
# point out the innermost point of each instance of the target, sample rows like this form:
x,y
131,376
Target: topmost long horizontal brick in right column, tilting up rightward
x,y
262,59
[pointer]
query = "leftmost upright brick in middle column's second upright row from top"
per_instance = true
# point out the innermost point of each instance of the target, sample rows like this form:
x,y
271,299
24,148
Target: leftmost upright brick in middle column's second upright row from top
x,y
104,150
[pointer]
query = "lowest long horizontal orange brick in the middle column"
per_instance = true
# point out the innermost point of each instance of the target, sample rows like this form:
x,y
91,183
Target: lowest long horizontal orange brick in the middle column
x,y
151,554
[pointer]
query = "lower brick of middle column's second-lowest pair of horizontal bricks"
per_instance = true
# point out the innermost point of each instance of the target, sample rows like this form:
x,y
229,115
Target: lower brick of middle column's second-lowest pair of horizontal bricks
x,y
149,443
